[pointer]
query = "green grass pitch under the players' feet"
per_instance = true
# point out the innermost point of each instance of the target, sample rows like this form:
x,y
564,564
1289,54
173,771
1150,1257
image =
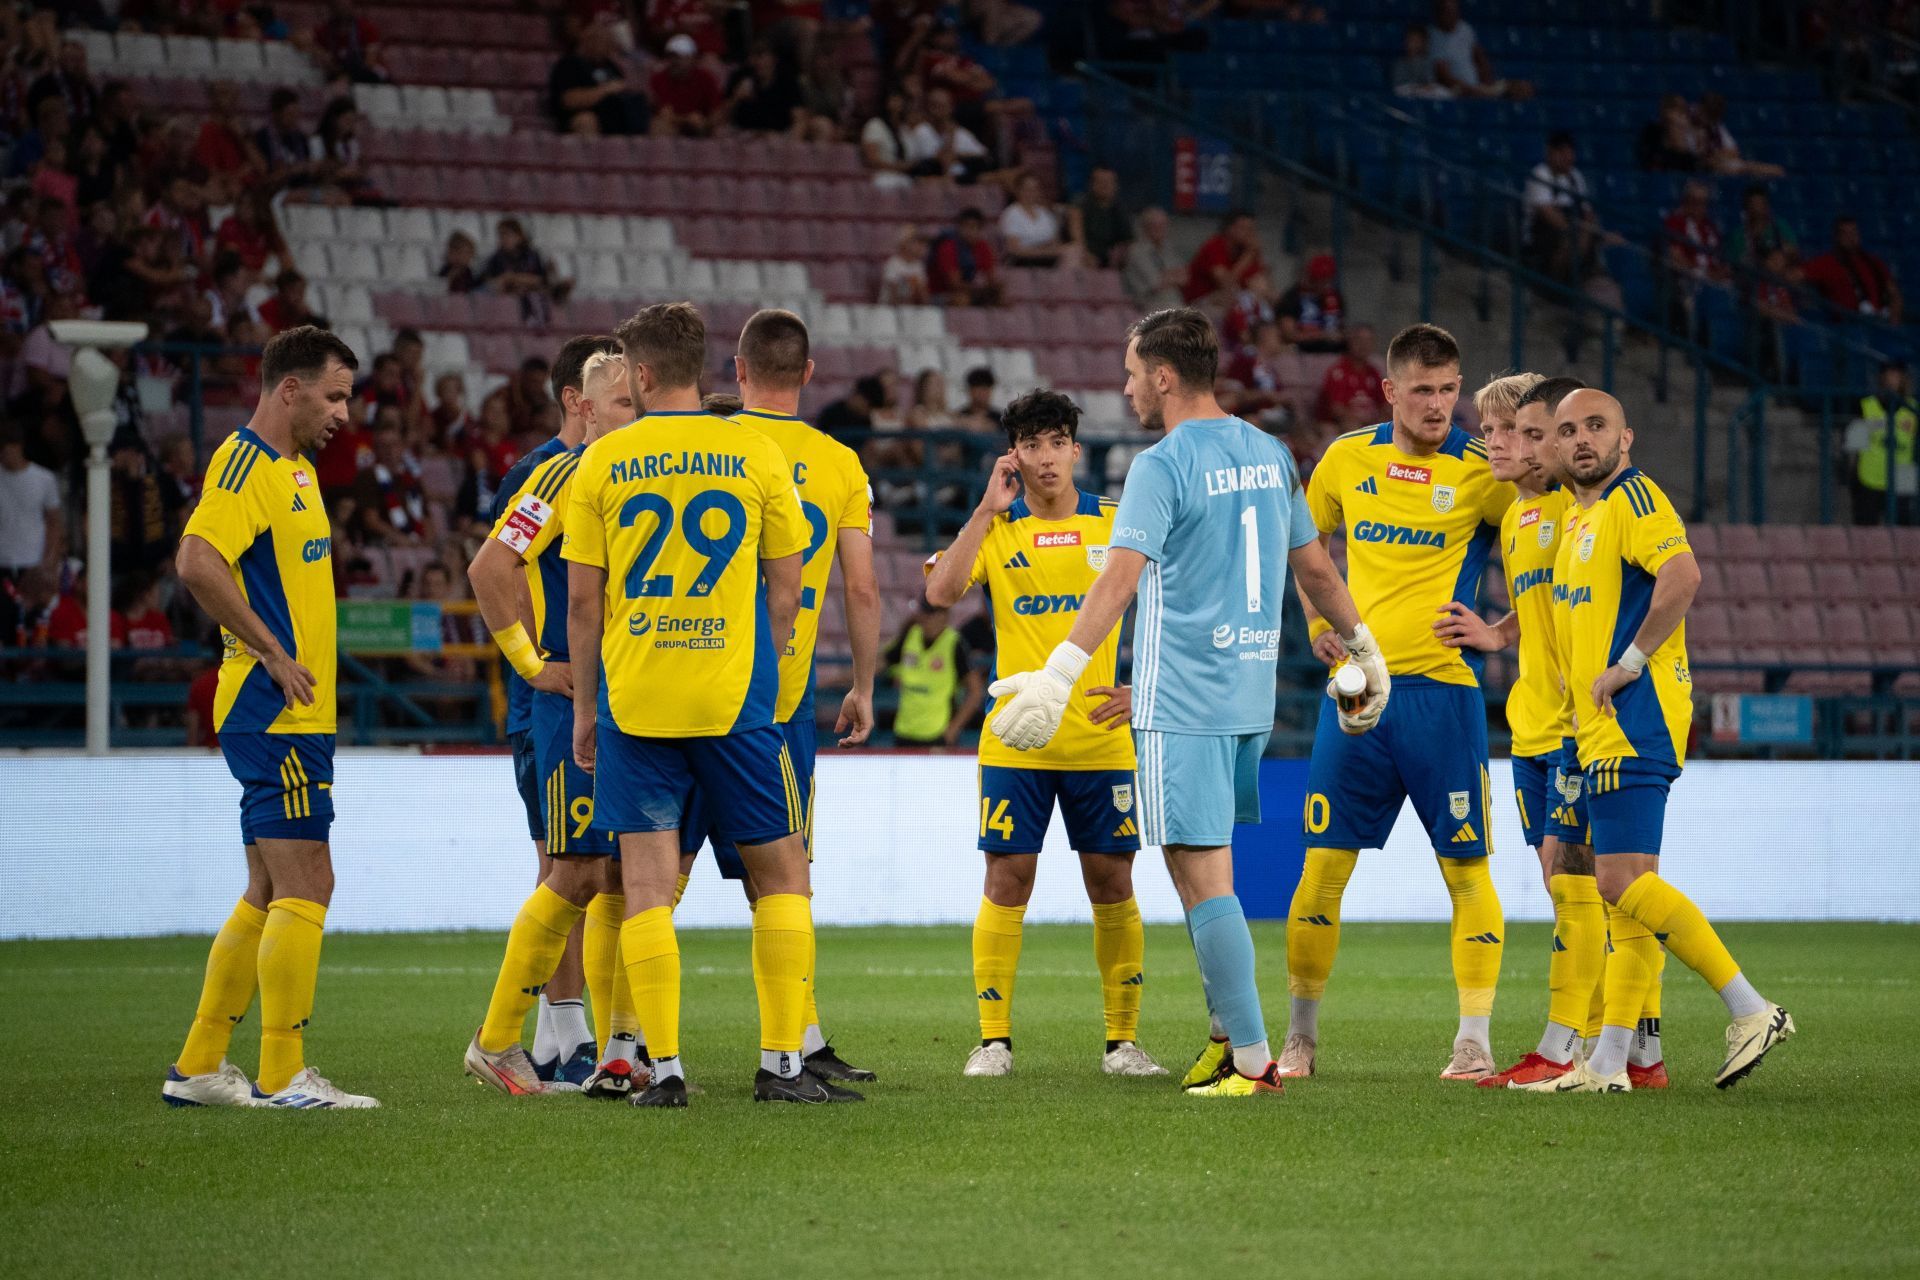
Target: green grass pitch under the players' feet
x,y
1374,1170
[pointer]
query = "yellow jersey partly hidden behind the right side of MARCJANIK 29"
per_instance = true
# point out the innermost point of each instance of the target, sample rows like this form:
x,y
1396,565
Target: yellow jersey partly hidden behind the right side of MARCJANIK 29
x,y
834,496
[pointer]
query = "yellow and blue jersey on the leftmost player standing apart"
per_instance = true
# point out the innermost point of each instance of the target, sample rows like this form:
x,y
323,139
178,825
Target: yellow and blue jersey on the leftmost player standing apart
x,y
266,517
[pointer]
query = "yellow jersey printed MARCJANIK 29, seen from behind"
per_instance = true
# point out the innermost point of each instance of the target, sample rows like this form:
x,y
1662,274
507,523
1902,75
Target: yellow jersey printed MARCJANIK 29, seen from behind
x,y
681,510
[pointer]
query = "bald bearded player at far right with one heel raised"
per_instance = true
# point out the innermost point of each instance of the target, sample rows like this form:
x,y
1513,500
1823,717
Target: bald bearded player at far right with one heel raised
x,y
1627,588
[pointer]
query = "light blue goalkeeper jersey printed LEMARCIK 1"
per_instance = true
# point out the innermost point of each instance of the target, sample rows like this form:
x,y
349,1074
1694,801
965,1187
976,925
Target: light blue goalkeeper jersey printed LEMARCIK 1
x,y
1214,508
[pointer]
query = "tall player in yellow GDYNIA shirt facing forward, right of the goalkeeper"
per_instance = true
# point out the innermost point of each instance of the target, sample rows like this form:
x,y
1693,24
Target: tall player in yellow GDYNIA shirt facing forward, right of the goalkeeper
x,y
1420,510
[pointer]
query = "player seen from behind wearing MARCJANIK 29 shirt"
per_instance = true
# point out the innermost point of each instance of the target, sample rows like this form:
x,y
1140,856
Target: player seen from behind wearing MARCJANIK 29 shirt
x,y
684,540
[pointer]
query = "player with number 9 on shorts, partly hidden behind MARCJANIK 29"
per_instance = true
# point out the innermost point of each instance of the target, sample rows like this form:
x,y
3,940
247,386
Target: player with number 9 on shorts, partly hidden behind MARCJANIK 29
x,y
521,561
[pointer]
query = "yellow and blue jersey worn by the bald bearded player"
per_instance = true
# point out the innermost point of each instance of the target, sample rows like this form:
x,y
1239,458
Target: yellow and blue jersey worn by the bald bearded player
x,y
1618,548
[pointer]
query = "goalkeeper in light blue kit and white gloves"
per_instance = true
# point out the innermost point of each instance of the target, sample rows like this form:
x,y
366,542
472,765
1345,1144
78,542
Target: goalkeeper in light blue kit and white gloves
x,y
1211,521
